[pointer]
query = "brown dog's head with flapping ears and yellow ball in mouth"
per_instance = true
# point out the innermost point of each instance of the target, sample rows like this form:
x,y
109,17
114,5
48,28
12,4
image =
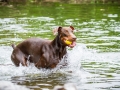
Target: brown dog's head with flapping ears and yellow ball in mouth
x,y
66,35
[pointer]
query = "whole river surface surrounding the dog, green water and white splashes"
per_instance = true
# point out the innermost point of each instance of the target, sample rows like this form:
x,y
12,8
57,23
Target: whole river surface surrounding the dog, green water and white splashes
x,y
94,63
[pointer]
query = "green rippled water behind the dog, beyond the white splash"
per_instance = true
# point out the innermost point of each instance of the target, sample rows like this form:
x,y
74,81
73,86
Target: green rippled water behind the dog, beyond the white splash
x,y
96,25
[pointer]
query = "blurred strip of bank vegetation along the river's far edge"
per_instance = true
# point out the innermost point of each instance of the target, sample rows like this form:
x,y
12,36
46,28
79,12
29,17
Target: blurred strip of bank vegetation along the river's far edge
x,y
4,2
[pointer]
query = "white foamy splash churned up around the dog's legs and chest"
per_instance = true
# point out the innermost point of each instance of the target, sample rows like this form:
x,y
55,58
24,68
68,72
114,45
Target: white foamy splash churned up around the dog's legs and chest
x,y
7,68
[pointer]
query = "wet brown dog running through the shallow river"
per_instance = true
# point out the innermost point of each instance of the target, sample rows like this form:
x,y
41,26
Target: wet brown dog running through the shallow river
x,y
44,53
